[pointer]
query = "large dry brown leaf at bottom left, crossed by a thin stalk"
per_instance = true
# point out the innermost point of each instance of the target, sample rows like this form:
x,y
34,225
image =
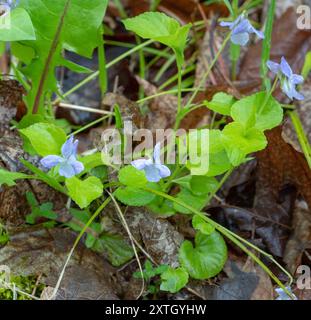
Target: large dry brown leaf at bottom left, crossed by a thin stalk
x,y
34,251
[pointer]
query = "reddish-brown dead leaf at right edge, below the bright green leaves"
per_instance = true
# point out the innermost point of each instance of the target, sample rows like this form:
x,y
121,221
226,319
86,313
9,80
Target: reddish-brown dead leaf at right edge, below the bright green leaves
x,y
279,165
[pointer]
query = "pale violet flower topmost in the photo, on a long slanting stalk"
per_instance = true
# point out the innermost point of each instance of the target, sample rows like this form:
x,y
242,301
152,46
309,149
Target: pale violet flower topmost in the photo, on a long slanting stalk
x,y
241,29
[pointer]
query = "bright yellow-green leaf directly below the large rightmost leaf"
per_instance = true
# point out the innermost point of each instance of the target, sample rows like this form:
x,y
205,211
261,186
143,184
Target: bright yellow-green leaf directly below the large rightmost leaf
x,y
239,142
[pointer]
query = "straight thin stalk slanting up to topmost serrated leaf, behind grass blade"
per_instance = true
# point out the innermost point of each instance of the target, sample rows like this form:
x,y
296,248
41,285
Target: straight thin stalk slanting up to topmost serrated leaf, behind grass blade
x,y
96,73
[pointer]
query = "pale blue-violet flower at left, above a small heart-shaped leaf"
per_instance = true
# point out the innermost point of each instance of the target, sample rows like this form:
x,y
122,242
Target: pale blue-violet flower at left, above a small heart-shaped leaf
x,y
69,166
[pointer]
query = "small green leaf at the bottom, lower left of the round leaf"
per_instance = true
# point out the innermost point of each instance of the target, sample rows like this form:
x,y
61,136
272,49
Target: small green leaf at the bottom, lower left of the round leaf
x,y
174,280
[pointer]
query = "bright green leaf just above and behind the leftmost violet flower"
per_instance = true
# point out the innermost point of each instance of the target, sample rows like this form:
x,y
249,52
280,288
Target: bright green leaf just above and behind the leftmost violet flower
x,y
46,138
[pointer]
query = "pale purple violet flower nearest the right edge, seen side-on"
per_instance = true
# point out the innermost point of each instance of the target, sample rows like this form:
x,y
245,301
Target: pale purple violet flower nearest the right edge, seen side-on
x,y
289,80
